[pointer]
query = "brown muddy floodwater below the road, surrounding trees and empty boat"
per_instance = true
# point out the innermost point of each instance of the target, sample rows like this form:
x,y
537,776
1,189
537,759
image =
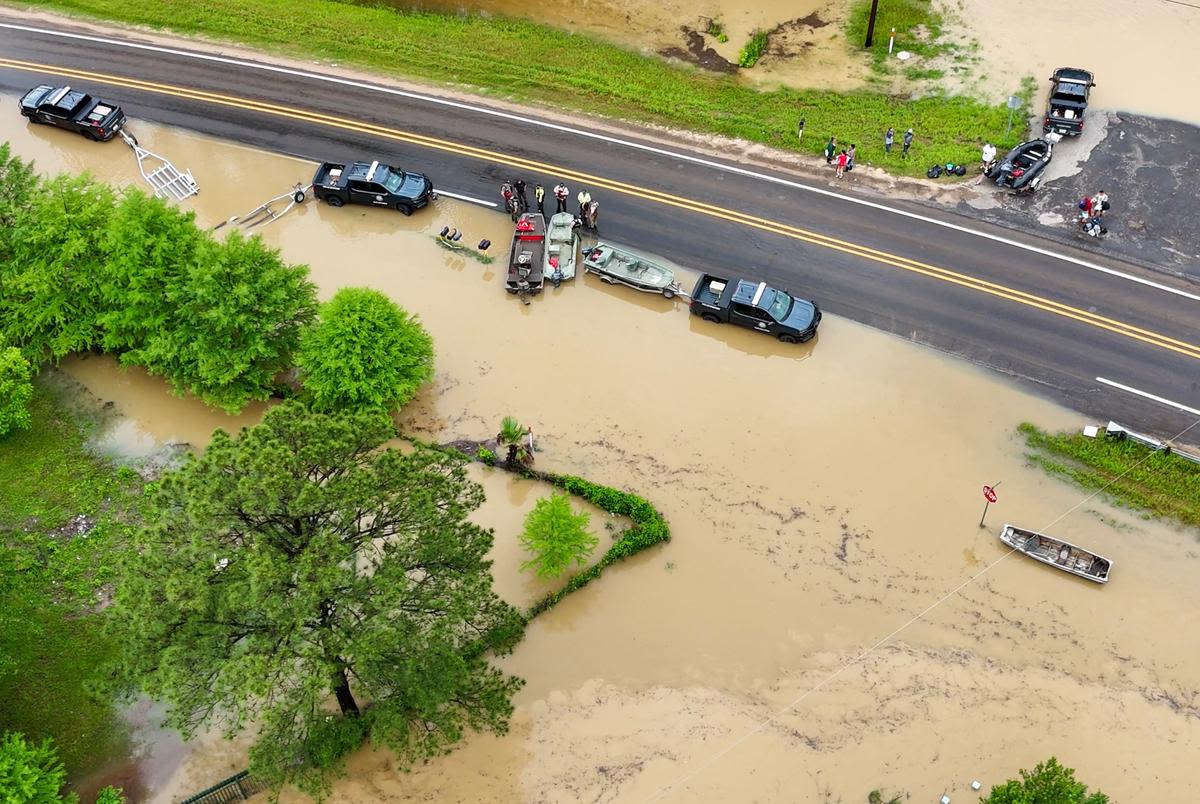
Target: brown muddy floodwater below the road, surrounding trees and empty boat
x,y
825,506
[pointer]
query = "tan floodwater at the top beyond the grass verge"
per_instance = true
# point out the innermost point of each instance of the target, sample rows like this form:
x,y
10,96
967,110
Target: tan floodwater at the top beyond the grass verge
x,y
1137,70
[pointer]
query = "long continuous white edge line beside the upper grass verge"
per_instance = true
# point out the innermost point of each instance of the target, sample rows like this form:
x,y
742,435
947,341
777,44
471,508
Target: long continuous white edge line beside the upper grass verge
x,y
615,141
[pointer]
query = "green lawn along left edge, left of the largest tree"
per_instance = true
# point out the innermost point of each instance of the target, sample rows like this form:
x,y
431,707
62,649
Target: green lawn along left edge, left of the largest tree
x,y
52,641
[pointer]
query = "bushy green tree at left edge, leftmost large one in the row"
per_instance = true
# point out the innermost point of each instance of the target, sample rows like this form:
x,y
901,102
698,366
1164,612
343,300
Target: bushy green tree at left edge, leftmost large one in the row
x,y
50,304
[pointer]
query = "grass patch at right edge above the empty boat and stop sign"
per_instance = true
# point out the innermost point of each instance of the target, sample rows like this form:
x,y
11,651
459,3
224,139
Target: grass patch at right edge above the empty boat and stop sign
x,y
1157,483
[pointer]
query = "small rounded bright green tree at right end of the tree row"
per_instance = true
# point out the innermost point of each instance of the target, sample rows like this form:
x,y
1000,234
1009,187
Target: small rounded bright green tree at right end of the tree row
x,y
365,353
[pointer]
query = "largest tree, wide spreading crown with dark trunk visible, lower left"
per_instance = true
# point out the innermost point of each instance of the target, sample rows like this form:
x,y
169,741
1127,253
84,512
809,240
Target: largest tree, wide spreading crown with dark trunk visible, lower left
x,y
298,569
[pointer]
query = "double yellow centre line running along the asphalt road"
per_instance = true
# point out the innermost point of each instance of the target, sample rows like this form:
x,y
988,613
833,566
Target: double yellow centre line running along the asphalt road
x,y
765,225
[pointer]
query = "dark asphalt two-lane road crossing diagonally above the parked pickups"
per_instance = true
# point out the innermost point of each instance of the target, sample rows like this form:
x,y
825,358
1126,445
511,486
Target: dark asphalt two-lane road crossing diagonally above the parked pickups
x,y
1048,317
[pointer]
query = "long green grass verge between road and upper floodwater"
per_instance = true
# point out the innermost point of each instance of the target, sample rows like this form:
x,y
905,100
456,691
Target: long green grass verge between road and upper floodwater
x,y
530,63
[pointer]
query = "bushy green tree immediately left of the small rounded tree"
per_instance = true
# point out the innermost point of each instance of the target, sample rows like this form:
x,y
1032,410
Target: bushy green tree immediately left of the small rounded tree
x,y
236,326
